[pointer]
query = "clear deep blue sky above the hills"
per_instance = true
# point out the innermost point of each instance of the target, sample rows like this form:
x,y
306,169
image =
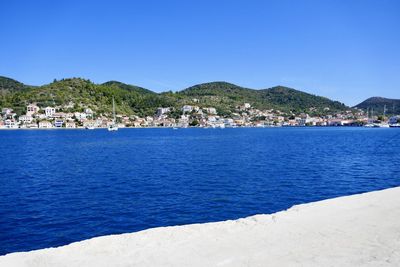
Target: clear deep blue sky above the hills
x,y
346,50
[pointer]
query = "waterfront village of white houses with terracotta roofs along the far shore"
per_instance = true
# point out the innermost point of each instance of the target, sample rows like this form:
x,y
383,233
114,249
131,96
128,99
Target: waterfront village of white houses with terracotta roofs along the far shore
x,y
189,116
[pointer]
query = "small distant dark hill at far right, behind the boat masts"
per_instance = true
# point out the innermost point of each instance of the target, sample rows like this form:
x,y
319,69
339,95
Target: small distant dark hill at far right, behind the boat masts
x,y
377,104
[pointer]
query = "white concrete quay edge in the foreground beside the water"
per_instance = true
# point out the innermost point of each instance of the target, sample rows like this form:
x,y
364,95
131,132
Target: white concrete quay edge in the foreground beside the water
x,y
356,230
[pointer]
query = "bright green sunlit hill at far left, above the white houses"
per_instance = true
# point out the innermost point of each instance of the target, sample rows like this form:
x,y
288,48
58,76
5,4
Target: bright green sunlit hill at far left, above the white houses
x,y
83,93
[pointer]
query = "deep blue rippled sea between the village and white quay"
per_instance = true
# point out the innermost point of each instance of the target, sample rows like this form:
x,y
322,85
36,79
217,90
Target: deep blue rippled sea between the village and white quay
x,y
61,186
